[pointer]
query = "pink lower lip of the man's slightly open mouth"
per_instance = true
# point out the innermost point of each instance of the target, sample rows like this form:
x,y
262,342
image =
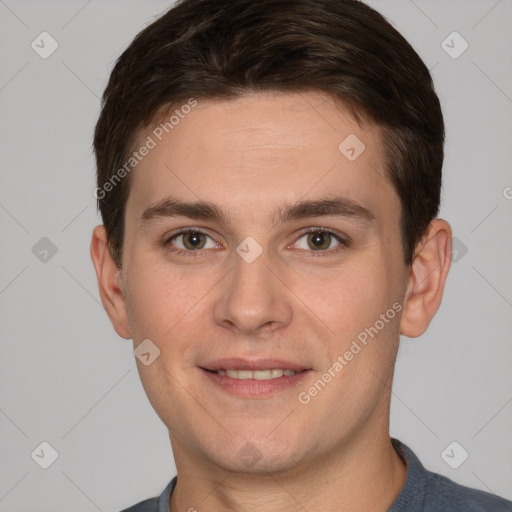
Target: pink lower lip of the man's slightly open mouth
x,y
252,388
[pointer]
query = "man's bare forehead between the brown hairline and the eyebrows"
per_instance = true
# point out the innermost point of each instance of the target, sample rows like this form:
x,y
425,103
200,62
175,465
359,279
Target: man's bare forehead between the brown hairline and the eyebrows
x,y
261,147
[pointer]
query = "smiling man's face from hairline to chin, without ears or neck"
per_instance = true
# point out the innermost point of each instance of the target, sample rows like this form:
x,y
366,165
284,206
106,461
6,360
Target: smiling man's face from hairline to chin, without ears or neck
x,y
295,263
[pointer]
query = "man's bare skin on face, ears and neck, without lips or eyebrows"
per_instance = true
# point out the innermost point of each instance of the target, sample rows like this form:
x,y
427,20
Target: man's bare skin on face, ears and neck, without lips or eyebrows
x,y
294,302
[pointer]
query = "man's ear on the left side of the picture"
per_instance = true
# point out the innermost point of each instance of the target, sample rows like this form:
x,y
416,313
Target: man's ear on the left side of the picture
x,y
110,282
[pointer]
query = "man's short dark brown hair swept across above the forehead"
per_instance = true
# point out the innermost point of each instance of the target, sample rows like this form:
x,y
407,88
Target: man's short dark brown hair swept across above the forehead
x,y
220,49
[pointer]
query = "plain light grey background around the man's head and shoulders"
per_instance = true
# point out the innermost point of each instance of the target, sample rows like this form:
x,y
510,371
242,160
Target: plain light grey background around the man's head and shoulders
x,y
65,376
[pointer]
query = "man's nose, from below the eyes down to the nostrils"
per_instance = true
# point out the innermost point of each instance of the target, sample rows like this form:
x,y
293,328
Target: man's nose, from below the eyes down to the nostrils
x,y
254,298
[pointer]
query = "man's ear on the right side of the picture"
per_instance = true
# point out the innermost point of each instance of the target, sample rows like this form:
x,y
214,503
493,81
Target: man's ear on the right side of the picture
x,y
427,277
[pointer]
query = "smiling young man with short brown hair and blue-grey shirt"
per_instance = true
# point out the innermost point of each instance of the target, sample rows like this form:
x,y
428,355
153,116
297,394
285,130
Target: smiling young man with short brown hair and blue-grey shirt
x,y
269,177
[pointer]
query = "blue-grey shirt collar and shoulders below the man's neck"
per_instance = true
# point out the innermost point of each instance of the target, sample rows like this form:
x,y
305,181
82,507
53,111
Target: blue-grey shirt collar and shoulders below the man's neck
x,y
423,491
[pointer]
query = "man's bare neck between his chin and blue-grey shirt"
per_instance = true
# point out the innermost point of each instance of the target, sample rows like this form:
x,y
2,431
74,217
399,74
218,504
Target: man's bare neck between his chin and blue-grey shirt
x,y
364,474
